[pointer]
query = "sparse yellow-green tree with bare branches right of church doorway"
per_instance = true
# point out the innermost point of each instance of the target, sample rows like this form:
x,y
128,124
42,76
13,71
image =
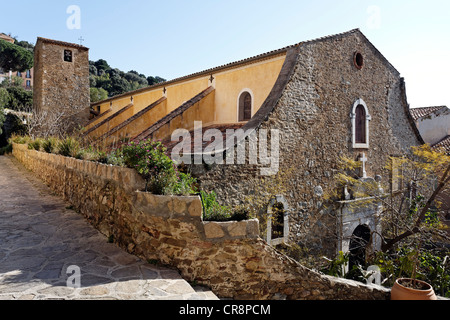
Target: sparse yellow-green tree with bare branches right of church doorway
x,y
411,208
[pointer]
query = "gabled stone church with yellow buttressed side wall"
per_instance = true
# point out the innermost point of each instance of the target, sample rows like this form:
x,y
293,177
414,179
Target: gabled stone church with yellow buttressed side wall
x,y
321,100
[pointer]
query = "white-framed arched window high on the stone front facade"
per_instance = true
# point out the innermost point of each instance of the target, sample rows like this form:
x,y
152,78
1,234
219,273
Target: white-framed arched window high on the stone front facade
x,y
360,125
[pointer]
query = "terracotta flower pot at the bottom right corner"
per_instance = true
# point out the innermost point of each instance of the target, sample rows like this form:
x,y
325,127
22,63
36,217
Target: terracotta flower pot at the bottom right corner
x,y
401,292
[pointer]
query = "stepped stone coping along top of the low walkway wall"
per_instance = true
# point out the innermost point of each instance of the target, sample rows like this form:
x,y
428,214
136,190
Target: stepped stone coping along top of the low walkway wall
x,y
187,208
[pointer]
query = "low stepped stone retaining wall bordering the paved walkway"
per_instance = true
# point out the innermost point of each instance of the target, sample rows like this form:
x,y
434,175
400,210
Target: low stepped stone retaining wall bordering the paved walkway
x,y
229,257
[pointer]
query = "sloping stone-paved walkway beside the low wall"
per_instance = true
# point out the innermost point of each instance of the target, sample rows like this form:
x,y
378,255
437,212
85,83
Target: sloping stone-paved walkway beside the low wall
x,y
40,238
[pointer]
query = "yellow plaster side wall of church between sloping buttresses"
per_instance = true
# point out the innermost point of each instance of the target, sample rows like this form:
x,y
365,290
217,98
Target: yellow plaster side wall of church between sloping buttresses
x,y
259,77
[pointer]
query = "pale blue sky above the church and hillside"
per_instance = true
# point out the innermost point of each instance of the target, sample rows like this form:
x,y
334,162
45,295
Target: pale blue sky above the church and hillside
x,y
173,38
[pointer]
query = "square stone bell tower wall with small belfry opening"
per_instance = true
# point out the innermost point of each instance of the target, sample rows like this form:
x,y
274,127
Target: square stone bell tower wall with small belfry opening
x,y
61,88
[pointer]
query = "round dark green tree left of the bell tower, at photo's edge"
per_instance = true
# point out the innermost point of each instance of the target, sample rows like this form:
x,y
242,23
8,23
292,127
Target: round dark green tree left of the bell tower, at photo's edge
x,y
14,57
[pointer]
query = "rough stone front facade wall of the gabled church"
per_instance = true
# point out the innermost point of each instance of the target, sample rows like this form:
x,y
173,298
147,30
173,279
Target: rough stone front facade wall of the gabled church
x,y
312,114
